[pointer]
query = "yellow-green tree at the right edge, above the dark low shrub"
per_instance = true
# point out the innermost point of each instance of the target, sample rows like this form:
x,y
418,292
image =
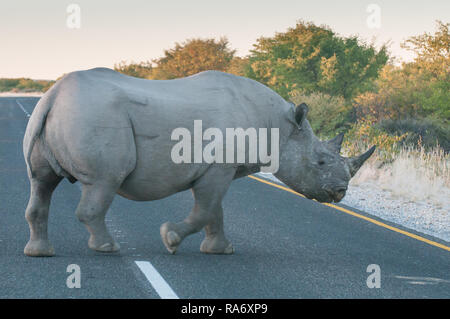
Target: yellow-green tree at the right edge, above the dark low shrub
x,y
418,89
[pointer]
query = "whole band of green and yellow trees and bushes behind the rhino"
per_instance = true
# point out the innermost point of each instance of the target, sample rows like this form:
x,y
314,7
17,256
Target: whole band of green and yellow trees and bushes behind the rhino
x,y
350,85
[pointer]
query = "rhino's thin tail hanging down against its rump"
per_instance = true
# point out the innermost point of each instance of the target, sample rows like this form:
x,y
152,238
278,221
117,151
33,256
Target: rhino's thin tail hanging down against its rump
x,y
35,126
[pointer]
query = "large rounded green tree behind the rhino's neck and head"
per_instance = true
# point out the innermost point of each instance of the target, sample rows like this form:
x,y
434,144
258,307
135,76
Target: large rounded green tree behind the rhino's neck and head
x,y
311,58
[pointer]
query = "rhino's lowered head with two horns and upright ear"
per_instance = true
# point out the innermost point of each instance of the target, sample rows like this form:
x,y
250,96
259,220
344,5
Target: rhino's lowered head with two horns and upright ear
x,y
315,168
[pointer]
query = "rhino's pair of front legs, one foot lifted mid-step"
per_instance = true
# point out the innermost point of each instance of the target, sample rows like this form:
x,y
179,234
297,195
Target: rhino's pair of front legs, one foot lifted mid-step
x,y
207,213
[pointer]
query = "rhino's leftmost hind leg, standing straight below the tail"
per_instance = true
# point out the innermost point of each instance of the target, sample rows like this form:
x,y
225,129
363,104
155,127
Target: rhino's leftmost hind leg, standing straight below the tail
x,y
36,214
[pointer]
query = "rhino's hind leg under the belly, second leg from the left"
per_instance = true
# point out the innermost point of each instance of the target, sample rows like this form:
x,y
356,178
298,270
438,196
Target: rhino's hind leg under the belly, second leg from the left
x,y
94,203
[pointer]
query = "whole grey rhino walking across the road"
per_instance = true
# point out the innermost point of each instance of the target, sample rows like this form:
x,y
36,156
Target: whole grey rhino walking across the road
x,y
111,133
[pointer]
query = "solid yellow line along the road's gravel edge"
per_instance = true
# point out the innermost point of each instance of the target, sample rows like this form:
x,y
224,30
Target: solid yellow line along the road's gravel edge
x,y
371,220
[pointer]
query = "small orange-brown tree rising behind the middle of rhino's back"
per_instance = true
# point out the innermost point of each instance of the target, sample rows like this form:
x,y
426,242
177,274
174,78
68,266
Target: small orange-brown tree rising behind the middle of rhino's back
x,y
193,56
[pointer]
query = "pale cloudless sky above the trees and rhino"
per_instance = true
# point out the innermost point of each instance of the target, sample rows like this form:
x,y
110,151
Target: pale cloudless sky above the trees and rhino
x,y
35,41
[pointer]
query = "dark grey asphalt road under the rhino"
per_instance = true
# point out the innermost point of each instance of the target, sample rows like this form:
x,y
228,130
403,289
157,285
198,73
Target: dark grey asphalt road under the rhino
x,y
286,246
